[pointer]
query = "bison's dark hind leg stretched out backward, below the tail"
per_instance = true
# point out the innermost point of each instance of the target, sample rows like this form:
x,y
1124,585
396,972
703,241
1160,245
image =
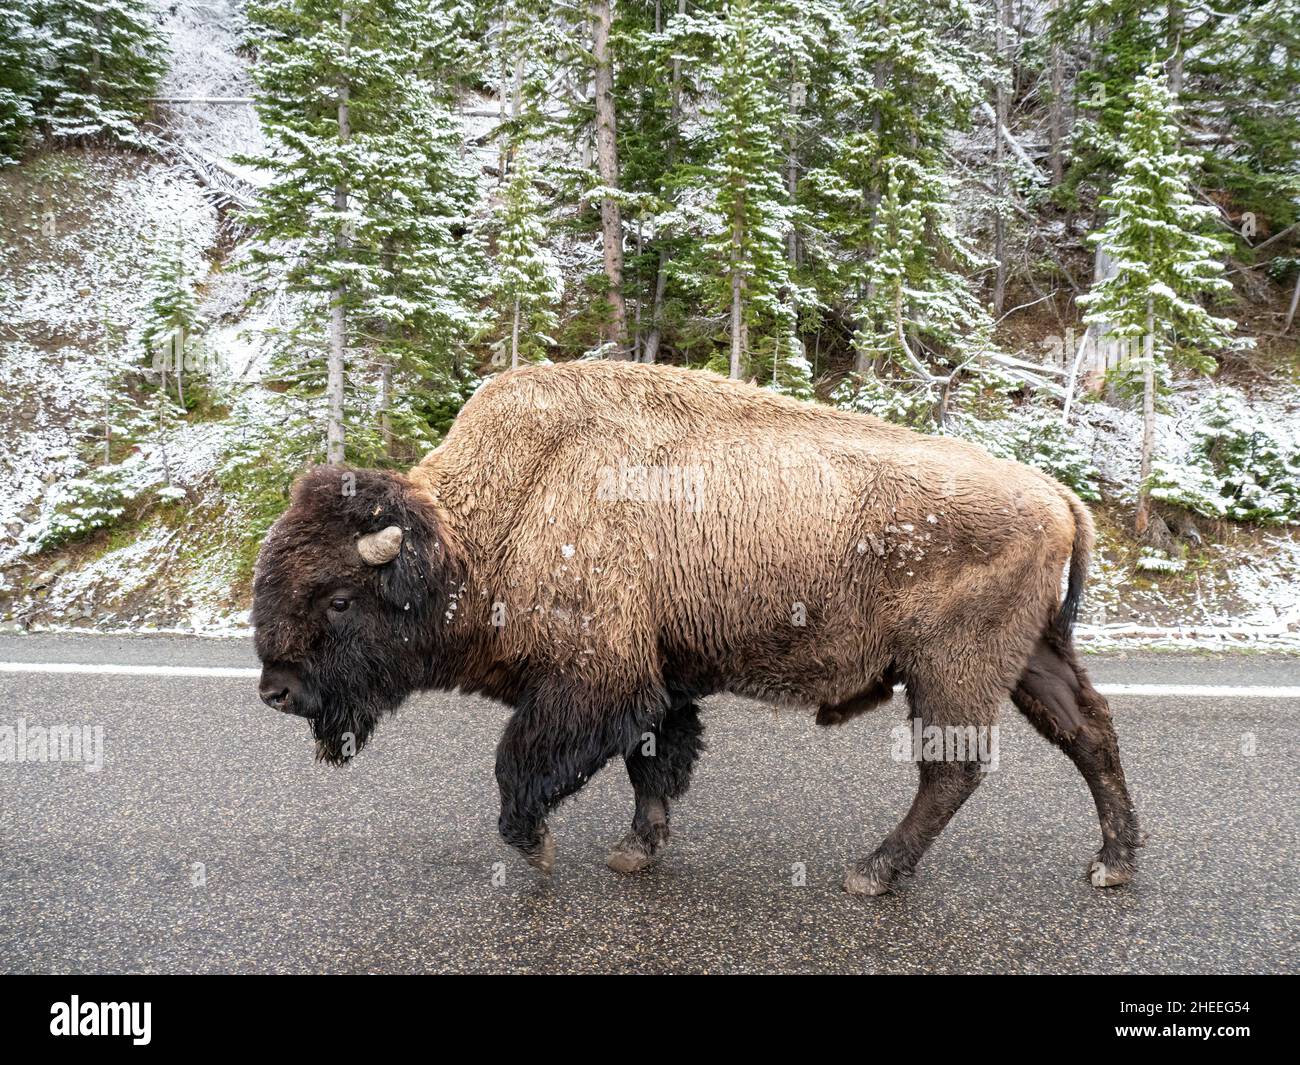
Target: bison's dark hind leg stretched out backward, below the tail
x,y
1058,698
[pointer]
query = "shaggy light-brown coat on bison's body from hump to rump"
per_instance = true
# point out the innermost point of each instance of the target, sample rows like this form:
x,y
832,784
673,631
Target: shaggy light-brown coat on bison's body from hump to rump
x,y
795,552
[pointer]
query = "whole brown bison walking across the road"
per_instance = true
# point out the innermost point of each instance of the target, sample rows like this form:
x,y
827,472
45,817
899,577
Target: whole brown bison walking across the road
x,y
601,546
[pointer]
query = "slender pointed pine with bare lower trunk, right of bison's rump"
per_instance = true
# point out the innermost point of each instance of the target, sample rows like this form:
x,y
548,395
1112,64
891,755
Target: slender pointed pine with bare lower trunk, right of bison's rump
x,y
1164,257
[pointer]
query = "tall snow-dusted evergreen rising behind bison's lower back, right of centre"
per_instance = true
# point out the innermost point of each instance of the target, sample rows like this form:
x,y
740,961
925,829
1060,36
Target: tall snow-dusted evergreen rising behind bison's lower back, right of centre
x,y
889,249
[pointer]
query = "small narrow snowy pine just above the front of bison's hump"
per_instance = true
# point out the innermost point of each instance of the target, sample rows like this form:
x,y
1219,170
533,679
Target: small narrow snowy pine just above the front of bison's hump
x,y
528,280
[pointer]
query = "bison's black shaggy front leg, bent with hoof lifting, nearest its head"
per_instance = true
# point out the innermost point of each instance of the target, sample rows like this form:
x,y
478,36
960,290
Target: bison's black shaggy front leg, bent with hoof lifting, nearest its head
x,y
547,754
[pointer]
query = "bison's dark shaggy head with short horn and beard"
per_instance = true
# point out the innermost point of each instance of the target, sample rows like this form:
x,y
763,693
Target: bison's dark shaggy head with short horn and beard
x,y
348,595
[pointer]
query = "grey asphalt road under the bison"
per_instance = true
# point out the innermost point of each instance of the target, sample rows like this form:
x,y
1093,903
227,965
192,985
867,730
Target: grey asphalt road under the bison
x,y
211,842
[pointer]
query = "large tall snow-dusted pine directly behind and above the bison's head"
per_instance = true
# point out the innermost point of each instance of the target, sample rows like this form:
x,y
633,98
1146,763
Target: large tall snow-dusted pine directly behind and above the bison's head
x,y
370,189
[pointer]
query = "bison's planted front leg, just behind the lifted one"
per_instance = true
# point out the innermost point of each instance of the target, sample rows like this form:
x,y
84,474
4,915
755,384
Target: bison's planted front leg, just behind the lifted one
x,y
660,768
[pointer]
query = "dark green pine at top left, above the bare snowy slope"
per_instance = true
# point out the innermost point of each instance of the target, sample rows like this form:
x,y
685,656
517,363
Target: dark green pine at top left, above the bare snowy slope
x,y
98,62
